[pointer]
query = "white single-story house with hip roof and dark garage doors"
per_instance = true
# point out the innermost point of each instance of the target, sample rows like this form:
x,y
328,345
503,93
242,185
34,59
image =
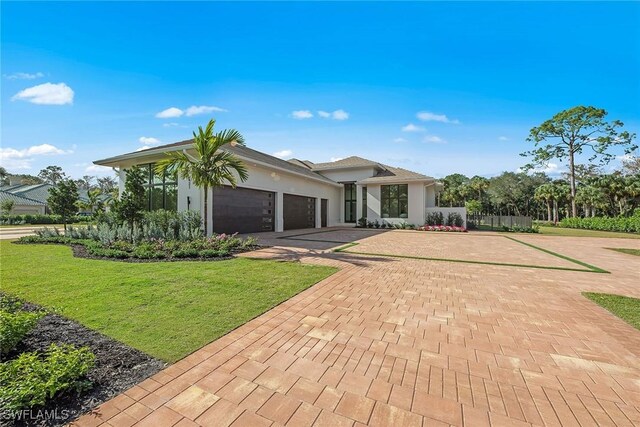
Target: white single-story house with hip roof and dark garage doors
x,y
295,194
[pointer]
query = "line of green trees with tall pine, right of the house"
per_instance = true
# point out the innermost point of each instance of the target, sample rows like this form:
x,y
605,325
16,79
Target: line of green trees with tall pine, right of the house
x,y
584,190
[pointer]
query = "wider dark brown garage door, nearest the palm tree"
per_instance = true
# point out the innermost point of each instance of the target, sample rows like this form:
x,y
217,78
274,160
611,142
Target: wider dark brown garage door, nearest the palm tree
x,y
242,210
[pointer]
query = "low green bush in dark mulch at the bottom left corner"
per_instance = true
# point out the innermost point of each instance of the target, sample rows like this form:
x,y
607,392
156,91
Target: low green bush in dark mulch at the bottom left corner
x,y
32,378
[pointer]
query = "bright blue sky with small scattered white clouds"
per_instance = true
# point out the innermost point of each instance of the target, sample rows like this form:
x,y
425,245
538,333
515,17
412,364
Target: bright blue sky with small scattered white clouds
x,y
317,81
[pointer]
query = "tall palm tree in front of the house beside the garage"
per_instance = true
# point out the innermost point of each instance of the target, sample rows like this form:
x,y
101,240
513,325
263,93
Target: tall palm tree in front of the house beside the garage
x,y
211,166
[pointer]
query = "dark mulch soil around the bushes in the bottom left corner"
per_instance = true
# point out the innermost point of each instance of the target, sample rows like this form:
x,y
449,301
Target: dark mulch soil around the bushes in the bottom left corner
x,y
117,368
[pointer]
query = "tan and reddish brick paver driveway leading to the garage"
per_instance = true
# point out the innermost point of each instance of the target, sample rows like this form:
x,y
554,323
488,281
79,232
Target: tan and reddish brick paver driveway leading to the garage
x,y
393,341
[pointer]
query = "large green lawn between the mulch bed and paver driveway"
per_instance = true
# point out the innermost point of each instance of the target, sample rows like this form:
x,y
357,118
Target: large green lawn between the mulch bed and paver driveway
x,y
166,309
